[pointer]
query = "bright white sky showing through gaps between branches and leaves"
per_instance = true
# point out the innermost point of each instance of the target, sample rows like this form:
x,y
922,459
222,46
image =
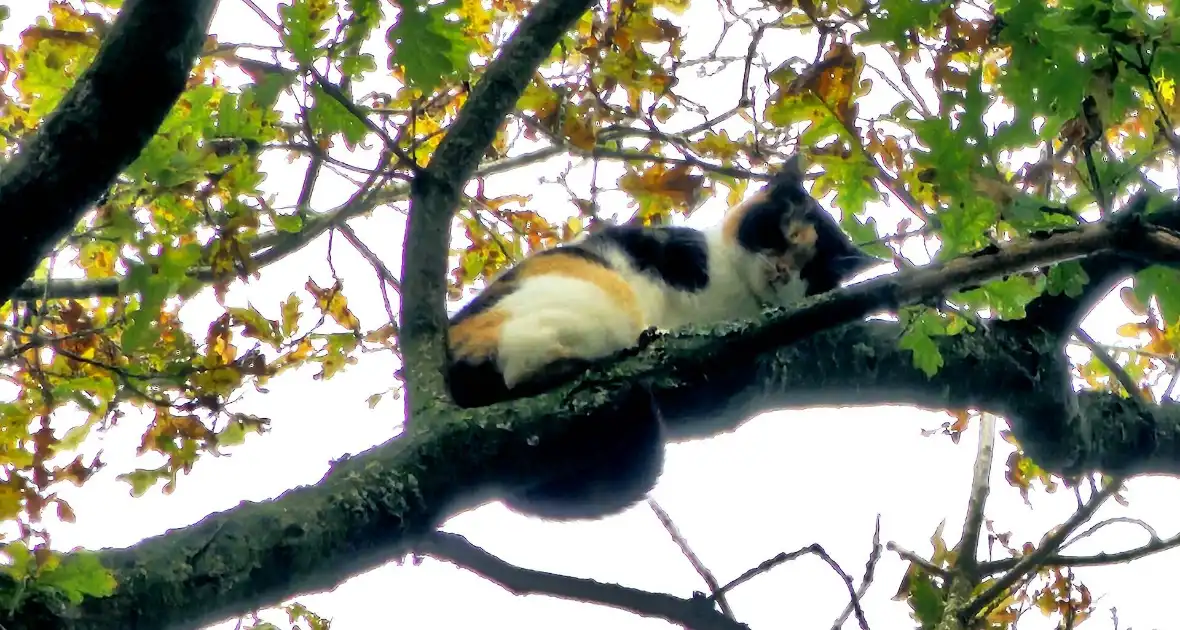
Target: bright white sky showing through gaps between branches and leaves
x,y
783,482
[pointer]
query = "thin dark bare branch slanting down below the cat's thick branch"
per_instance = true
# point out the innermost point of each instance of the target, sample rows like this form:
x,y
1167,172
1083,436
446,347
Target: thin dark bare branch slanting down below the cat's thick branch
x,y
691,614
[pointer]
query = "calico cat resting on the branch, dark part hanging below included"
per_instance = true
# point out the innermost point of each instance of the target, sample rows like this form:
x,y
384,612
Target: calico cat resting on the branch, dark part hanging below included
x,y
587,300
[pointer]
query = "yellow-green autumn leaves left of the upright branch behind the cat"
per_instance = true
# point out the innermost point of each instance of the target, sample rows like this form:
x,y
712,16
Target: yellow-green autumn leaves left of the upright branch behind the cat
x,y
187,215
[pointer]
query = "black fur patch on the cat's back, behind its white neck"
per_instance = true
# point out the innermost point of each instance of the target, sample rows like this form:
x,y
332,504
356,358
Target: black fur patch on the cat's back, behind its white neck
x,y
677,255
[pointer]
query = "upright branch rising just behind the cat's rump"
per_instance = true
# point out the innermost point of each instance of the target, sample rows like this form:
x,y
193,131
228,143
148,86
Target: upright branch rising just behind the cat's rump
x,y
435,193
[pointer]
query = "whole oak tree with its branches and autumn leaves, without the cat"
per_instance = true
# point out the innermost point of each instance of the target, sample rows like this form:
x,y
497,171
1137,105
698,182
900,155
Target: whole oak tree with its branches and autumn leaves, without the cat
x,y
1027,147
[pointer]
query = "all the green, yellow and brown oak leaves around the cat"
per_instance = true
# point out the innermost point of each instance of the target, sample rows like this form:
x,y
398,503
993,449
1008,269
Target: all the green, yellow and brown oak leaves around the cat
x,y
976,124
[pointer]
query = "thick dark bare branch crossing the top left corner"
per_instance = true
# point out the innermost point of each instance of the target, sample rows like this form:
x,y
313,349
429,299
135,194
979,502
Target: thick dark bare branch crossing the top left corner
x,y
101,127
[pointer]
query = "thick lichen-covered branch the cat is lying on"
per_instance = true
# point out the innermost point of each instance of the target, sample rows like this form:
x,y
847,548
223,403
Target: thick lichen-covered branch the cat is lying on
x,y
376,507
